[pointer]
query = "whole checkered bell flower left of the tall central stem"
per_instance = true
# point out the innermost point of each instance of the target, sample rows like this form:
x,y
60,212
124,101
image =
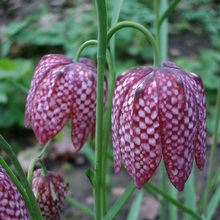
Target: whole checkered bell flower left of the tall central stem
x,y
60,89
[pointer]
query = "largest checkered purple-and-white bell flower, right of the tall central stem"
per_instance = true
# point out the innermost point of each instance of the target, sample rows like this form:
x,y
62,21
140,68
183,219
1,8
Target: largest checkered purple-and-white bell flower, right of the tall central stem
x,y
159,112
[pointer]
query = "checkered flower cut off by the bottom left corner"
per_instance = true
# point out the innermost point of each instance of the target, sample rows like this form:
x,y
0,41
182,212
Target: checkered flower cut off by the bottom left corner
x,y
12,205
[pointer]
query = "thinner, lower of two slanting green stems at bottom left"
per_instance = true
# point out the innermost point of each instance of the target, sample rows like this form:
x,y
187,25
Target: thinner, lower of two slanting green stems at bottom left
x,y
18,185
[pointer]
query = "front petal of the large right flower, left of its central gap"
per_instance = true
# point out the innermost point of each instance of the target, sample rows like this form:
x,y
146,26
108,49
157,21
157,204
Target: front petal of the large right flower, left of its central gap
x,y
145,131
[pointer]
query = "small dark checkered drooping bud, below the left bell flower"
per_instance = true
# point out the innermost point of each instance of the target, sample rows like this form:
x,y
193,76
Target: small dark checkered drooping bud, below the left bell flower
x,y
50,192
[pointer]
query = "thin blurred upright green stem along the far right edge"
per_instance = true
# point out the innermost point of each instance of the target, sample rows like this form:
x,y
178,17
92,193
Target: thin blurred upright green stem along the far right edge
x,y
213,154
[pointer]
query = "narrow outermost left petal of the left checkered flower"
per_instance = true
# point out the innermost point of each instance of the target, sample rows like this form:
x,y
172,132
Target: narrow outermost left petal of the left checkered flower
x,y
45,65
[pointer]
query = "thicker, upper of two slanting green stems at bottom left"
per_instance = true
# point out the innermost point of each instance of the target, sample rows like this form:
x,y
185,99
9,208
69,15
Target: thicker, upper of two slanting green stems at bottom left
x,y
11,155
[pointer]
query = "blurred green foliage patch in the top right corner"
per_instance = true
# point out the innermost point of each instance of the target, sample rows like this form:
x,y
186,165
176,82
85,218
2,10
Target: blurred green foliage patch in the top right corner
x,y
201,17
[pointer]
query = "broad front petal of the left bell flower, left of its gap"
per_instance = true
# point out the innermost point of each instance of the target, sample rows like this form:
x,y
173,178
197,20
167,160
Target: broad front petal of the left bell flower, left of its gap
x,y
52,103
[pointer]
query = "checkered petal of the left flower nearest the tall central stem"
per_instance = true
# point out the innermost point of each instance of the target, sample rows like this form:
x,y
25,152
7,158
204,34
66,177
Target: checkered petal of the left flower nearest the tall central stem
x,y
84,103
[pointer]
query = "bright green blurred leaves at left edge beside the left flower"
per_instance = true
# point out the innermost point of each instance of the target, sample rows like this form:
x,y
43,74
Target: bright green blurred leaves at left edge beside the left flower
x,y
14,81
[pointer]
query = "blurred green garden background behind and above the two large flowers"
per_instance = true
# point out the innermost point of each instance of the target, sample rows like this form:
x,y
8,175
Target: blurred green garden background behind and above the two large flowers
x,y
31,29
